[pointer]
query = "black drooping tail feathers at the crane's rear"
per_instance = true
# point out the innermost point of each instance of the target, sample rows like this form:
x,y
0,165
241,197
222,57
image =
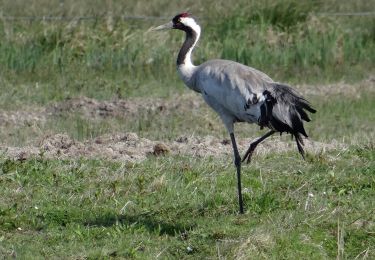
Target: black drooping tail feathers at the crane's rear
x,y
288,112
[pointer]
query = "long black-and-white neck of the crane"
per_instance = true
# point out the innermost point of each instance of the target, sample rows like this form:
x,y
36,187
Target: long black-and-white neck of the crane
x,y
192,37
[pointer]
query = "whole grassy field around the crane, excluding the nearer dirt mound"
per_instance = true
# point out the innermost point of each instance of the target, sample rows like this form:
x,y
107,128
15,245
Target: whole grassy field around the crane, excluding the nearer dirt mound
x,y
106,75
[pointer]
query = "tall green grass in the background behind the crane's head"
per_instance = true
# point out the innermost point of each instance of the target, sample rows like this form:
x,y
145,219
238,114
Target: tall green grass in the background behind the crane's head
x,y
58,59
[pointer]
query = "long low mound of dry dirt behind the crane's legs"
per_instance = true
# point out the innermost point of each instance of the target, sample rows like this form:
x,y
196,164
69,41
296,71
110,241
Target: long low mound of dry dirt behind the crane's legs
x,y
130,147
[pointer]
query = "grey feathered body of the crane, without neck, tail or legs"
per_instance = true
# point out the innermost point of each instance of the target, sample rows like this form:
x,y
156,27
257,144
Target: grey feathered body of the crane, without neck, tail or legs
x,y
231,89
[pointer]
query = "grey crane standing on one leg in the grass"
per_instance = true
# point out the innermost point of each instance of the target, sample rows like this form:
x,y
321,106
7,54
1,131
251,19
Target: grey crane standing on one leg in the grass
x,y
239,93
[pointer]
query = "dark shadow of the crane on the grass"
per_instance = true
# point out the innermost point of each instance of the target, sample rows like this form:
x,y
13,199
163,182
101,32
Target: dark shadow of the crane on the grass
x,y
148,221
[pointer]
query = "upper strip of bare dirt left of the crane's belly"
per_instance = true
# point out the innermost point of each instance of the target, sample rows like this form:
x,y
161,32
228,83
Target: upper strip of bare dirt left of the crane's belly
x,y
93,108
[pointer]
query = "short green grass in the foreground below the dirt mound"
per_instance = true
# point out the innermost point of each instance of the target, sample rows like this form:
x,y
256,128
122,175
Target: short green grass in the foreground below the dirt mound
x,y
91,209
